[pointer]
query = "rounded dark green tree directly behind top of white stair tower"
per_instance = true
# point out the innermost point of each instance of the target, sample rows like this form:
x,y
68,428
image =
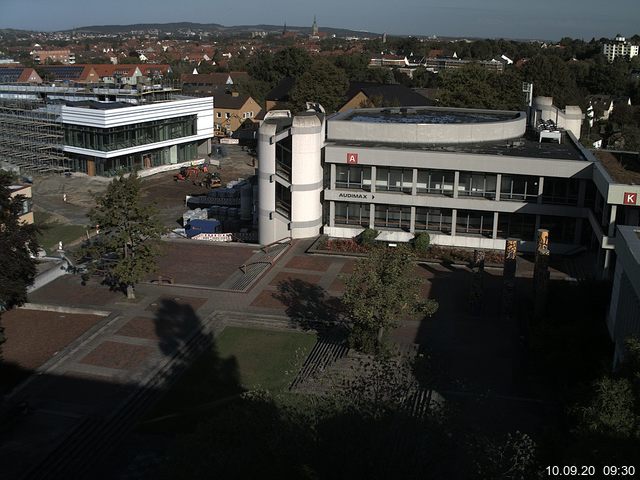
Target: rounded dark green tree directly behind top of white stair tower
x,y
324,83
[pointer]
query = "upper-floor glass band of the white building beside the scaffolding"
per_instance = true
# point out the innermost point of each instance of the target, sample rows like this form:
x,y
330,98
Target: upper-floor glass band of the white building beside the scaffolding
x,y
126,136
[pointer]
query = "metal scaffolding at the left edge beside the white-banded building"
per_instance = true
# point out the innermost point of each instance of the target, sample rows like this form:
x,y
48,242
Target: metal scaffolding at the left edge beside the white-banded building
x,y
31,138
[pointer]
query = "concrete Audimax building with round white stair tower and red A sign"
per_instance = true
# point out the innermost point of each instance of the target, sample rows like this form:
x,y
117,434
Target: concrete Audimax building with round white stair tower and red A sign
x,y
471,178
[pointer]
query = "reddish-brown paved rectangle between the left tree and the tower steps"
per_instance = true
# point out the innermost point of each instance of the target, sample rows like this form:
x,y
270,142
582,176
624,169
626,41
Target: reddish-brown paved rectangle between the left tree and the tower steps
x,y
199,263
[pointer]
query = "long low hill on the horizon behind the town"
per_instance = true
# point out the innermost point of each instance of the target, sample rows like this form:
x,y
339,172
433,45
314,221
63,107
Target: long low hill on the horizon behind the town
x,y
214,28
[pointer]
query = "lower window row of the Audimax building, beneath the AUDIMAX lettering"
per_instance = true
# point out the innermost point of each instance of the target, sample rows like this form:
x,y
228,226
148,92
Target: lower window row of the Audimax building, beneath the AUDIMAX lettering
x,y
439,220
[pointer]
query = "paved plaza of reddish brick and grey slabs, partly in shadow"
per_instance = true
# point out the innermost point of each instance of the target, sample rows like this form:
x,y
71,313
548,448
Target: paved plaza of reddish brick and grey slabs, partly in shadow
x,y
111,353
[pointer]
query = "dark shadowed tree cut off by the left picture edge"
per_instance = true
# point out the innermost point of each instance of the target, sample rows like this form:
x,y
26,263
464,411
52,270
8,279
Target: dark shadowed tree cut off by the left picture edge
x,y
17,241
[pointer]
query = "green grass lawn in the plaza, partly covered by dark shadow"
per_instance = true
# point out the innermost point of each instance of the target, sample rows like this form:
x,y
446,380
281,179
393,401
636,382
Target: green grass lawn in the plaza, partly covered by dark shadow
x,y
241,359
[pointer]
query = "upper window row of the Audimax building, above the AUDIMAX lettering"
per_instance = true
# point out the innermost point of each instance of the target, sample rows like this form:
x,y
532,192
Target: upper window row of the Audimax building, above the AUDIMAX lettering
x,y
520,188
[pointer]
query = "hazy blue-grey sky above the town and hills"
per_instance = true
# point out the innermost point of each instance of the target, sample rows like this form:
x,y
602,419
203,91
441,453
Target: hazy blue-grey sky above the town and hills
x,y
535,19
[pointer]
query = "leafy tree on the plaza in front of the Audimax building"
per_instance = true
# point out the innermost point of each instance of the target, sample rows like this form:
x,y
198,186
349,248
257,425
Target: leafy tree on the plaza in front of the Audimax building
x,y
382,288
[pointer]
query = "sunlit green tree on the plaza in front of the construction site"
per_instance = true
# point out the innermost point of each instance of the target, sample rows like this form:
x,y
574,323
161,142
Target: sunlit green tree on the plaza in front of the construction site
x,y
126,248
